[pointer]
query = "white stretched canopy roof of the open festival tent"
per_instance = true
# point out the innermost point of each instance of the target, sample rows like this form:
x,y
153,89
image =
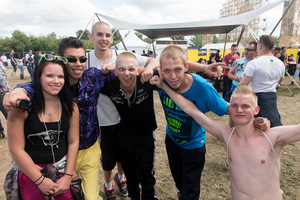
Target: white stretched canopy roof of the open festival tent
x,y
216,26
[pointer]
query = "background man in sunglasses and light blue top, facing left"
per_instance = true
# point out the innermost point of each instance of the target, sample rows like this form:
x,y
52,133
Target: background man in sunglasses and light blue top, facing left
x,y
236,72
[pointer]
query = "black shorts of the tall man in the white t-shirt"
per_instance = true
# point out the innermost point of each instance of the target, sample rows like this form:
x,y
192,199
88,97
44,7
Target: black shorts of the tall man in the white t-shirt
x,y
109,144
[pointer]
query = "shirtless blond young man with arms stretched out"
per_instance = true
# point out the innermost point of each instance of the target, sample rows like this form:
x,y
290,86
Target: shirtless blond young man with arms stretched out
x,y
253,165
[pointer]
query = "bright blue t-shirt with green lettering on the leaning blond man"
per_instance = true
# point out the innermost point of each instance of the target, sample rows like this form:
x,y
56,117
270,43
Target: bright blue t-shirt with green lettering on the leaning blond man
x,y
182,128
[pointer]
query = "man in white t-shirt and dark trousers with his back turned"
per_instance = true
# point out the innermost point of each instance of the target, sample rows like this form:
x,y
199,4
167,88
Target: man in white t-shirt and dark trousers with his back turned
x,y
262,75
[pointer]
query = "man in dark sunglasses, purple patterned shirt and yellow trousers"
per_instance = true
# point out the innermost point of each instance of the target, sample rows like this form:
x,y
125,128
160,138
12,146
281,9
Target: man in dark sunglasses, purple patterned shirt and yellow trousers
x,y
85,86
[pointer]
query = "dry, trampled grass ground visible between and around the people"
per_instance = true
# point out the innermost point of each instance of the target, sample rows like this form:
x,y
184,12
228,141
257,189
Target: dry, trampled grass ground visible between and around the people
x,y
215,178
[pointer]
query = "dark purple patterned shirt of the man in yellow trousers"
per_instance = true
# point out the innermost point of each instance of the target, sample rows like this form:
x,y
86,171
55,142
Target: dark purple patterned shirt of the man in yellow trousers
x,y
89,87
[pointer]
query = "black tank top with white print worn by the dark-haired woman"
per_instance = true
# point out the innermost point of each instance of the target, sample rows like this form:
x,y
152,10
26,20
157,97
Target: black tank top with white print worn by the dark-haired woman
x,y
37,141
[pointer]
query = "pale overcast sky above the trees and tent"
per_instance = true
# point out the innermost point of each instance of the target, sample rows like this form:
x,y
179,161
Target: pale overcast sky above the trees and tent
x,y
65,17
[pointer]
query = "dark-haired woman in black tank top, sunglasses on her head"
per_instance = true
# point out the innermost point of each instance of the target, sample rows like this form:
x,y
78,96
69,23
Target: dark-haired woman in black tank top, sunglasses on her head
x,y
46,134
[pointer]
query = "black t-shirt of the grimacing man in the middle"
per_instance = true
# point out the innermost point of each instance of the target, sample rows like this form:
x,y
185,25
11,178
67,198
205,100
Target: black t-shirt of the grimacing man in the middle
x,y
137,113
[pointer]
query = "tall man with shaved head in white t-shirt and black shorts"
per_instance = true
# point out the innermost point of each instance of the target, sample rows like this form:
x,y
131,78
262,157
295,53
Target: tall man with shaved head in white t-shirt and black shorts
x,y
108,116
